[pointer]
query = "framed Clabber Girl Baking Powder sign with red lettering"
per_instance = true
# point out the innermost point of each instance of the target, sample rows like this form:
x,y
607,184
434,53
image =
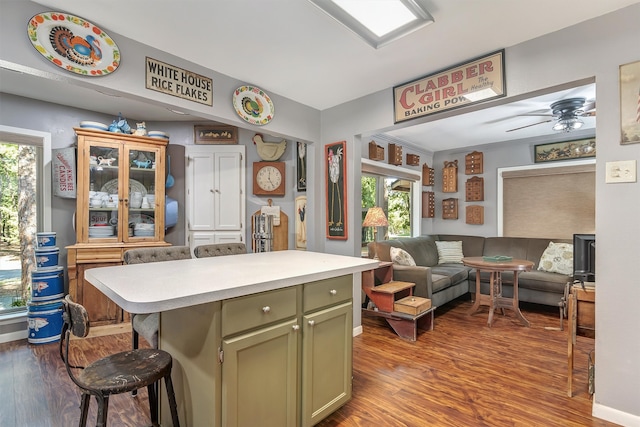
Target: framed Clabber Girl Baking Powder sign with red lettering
x,y
465,84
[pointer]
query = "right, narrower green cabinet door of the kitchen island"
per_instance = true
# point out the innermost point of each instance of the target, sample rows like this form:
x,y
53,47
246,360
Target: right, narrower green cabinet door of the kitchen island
x,y
326,361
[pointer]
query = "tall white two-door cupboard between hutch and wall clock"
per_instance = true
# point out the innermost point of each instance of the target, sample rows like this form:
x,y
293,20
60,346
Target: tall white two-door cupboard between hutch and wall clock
x,y
215,199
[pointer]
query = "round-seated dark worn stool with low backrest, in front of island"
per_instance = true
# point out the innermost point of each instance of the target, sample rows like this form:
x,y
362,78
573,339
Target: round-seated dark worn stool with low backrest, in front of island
x,y
115,374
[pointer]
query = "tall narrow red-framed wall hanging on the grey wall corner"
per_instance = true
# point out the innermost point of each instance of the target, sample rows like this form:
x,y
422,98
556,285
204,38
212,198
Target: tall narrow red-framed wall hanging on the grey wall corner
x,y
336,197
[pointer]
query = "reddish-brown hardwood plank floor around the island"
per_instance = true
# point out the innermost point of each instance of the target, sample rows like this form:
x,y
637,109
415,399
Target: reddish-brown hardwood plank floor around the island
x,y
460,374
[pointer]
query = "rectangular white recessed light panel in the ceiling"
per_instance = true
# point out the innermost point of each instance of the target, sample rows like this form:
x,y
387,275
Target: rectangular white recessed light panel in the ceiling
x,y
378,22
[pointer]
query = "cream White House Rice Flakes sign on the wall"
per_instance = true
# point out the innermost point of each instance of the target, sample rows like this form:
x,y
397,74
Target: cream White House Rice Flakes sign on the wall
x,y
175,81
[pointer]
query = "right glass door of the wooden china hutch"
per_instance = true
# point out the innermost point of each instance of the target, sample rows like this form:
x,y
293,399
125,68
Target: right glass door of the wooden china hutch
x,y
142,207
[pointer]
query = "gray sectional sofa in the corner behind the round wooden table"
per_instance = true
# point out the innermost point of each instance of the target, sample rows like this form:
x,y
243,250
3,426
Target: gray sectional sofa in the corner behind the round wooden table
x,y
444,282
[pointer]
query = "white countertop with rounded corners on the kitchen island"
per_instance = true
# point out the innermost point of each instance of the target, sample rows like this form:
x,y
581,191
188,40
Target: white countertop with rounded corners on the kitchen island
x,y
161,286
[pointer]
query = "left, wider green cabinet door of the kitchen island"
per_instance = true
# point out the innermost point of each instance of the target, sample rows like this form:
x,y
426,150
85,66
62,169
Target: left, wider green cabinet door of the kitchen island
x,y
260,377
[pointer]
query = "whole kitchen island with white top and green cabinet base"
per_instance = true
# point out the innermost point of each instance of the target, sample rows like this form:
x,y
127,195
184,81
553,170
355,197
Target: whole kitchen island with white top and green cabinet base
x,y
257,339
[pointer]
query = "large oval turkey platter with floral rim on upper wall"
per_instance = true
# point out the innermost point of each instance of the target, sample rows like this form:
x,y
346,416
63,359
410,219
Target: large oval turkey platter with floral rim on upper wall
x,y
73,44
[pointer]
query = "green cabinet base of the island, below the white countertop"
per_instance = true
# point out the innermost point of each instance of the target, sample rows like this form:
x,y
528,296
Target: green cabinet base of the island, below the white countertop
x,y
277,358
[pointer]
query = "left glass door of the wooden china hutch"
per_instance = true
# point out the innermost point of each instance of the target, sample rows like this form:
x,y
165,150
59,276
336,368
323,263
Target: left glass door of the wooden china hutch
x,y
103,198
